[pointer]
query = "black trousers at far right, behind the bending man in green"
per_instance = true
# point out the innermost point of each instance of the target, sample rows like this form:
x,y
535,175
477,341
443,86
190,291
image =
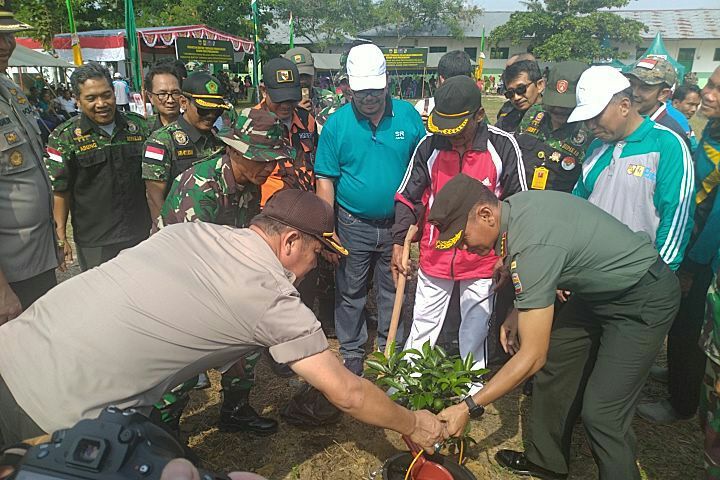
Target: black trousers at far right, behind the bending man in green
x,y
686,361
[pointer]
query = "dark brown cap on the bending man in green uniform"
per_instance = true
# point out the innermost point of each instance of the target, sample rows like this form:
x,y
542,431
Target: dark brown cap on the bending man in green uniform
x,y
451,208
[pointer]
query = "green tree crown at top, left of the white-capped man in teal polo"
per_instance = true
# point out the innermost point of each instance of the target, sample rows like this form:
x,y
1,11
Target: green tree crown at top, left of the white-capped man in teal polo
x,y
325,22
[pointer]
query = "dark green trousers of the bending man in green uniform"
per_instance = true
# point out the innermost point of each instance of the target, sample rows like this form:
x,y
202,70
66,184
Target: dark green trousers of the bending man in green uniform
x,y
599,358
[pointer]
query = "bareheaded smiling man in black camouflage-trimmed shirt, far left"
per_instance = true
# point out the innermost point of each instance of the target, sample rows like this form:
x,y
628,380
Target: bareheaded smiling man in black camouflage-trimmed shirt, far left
x,y
95,166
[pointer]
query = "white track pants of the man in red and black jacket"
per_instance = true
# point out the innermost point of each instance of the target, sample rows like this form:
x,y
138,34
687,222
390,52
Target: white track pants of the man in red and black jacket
x,y
432,299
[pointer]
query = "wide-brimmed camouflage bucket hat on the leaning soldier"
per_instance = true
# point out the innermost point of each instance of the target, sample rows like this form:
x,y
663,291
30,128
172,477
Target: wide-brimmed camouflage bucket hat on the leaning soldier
x,y
258,135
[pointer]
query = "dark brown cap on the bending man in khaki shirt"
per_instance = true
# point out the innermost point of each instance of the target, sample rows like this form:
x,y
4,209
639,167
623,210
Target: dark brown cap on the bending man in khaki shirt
x,y
306,212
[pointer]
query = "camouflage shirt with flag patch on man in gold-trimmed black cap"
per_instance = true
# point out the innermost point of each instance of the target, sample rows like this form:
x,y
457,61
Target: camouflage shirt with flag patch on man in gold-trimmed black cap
x,y
174,148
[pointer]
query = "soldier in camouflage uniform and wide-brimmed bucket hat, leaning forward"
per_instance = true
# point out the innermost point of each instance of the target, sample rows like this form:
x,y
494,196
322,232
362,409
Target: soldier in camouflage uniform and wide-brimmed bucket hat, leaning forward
x,y
225,189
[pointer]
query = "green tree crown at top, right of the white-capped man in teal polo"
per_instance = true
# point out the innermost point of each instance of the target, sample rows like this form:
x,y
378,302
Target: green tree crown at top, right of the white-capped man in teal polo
x,y
405,17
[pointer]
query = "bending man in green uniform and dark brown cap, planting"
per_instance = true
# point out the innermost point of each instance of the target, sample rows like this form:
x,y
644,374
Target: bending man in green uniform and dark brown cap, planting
x,y
593,359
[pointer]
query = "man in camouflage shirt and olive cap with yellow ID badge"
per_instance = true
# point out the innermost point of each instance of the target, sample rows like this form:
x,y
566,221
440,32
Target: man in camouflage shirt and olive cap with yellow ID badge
x,y
552,149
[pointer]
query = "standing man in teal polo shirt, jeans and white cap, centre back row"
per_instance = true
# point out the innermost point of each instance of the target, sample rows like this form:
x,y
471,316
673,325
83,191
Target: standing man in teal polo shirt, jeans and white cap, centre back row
x,y
364,151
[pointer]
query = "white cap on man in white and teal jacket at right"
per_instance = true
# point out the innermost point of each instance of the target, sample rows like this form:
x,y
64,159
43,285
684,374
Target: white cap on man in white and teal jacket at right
x,y
595,89
